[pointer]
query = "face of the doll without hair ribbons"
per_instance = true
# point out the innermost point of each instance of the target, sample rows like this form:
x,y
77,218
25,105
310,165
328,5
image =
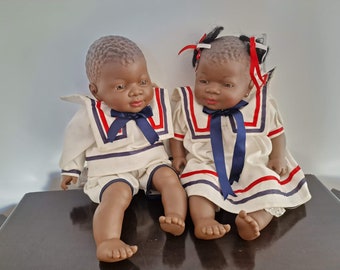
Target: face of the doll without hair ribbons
x,y
124,87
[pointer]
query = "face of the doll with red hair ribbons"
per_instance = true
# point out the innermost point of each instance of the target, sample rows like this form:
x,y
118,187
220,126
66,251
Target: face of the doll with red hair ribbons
x,y
222,85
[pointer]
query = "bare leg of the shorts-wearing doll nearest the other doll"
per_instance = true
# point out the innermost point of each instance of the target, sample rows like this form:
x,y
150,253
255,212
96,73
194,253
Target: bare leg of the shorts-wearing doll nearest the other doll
x,y
174,200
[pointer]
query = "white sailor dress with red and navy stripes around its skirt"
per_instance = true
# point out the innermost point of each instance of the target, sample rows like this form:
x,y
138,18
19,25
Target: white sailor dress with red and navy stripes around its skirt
x,y
258,187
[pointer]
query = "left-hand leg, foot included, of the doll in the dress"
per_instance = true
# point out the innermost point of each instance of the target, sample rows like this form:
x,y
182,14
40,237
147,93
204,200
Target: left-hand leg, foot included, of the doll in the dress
x,y
202,213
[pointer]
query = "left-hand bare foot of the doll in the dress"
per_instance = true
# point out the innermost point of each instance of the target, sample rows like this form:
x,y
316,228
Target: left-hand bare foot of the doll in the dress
x,y
210,229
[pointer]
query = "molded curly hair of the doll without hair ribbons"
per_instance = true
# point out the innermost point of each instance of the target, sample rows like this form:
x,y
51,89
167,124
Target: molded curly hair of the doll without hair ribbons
x,y
109,48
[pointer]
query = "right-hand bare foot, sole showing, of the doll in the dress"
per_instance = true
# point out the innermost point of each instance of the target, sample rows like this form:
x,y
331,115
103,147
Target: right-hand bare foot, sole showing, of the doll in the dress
x,y
247,226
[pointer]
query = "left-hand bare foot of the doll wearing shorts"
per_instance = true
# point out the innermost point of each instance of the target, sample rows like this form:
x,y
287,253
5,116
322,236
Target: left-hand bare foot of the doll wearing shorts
x,y
114,250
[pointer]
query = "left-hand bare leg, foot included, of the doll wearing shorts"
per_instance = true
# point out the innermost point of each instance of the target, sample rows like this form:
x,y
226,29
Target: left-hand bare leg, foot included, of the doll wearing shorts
x,y
107,223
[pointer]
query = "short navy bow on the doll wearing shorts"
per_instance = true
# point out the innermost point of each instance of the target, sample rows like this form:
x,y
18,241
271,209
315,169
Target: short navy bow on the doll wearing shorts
x,y
123,117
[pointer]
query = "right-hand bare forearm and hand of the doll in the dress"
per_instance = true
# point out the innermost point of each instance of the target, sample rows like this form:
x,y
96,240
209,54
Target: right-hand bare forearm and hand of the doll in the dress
x,y
277,160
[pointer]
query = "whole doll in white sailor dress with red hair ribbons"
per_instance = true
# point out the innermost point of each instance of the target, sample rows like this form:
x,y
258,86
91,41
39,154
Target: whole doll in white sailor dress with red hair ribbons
x,y
229,143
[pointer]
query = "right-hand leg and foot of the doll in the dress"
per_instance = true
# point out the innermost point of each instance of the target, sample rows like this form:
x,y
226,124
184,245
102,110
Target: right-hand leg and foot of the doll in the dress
x,y
249,225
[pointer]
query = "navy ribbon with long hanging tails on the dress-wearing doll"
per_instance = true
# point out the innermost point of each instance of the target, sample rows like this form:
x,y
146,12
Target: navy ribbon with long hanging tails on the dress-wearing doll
x,y
217,146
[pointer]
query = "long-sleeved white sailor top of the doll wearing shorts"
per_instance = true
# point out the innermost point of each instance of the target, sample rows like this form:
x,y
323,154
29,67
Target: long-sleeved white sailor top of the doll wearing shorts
x,y
87,141
